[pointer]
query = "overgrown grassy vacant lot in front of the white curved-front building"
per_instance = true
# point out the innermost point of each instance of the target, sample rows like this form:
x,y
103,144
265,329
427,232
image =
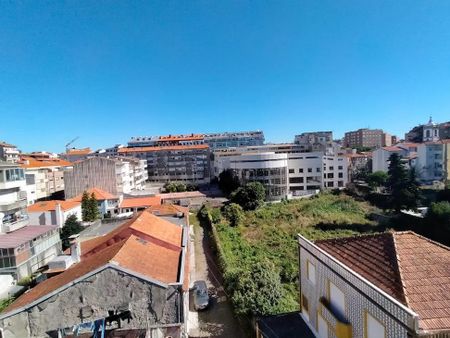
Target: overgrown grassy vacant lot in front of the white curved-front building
x,y
270,233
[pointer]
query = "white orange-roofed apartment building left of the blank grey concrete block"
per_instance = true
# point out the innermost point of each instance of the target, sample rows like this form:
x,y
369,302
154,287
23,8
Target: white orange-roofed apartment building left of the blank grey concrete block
x,y
44,176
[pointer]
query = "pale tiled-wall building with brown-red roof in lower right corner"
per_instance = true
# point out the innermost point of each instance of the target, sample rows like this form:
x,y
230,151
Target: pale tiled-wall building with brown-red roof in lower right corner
x,y
388,285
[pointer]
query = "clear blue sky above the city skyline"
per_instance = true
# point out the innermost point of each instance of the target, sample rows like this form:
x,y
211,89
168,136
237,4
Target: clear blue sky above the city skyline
x,y
109,70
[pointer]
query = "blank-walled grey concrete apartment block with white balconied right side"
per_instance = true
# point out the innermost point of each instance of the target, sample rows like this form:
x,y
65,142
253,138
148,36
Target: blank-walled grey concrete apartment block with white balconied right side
x,y
118,175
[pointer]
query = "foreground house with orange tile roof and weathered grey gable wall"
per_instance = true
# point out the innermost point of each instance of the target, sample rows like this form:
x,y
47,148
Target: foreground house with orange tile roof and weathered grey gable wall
x,y
111,286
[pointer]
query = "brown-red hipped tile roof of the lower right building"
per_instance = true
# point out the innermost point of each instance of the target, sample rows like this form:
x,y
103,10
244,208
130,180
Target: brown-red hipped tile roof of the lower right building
x,y
411,268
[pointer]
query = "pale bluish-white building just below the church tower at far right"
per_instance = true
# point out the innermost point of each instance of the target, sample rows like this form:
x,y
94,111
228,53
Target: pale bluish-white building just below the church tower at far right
x,y
430,162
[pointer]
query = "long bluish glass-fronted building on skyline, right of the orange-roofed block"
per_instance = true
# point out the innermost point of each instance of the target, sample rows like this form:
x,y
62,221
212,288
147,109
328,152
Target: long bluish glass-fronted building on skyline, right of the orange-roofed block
x,y
234,139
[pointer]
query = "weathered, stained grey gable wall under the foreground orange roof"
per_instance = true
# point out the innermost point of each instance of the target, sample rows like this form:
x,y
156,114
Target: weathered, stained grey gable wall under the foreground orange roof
x,y
90,299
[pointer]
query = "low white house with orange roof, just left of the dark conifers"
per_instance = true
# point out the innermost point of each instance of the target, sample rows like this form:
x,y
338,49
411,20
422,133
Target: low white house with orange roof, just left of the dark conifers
x,y
53,212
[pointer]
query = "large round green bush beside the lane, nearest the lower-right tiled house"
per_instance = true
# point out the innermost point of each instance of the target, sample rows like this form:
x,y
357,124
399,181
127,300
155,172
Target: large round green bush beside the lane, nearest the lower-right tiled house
x,y
256,290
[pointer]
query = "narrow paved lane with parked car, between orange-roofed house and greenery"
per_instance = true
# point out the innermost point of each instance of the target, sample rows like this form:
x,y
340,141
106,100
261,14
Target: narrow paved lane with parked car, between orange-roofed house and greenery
x,y
218,320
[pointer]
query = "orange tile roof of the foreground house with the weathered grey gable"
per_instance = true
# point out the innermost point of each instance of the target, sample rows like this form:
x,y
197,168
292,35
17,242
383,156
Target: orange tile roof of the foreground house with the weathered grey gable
x,y
147,245
